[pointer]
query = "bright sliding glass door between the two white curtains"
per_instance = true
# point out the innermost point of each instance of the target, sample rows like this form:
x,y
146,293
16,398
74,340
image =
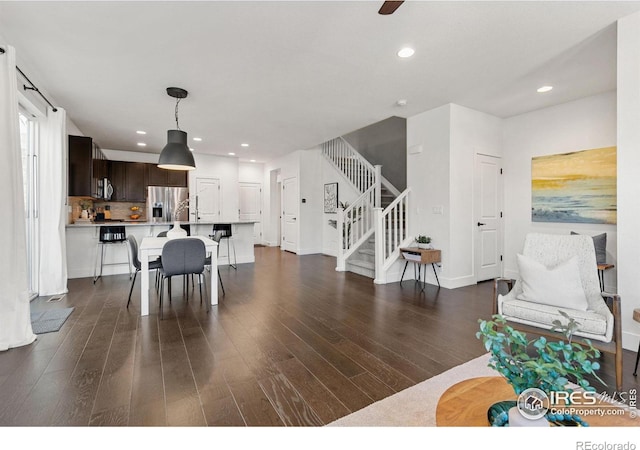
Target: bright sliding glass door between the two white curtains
x,y
29,148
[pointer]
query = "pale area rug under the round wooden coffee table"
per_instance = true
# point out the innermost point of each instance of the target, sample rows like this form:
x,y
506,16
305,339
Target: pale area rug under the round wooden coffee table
x,y
415,406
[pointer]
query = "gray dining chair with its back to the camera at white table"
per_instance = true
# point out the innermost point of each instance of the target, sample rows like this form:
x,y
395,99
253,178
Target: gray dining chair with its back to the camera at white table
x,y
183,256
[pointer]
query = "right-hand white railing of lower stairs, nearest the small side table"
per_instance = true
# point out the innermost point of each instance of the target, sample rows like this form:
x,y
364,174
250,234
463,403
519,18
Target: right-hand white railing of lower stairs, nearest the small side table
x,y
392,233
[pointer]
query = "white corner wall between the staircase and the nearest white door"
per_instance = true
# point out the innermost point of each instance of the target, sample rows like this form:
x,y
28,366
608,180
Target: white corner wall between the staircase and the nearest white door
x,y
441,178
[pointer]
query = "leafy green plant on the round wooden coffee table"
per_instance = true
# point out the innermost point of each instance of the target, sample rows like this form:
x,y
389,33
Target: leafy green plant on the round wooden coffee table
x,y
547,365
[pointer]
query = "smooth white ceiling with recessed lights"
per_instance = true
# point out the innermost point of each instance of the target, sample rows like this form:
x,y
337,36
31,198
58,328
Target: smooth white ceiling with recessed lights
x,y
288,75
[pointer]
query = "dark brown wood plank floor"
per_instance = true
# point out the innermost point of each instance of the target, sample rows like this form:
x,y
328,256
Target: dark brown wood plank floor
x,y
292,343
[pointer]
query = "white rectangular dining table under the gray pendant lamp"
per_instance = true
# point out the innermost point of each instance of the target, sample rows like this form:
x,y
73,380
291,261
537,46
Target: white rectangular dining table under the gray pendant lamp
x,y
151,247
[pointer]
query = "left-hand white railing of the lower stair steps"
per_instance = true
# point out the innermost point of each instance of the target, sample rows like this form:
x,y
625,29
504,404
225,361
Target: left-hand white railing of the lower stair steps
x,y
355,225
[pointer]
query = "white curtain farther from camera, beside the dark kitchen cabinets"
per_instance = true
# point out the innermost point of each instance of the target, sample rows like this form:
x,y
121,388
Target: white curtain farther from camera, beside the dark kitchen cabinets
x,y
52,182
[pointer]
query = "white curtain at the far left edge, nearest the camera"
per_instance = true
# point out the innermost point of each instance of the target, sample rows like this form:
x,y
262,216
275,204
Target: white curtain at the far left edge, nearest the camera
x,y
15,320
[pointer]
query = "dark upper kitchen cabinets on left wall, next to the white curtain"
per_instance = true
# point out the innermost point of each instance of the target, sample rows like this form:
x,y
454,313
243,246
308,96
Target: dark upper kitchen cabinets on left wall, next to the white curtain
x,y
87,165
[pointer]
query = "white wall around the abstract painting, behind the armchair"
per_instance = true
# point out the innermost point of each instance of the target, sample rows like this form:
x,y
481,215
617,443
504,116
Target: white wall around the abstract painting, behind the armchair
x,y
580,125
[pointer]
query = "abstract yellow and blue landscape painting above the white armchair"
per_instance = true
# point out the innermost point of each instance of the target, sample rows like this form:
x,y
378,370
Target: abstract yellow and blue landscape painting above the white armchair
x,y
576,187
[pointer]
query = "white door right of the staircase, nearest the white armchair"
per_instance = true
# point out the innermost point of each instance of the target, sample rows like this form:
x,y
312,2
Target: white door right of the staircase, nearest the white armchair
x,y
488,217
